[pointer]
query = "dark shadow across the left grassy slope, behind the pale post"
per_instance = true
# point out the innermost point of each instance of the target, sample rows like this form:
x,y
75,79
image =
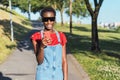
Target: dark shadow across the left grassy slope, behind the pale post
x,y
18,29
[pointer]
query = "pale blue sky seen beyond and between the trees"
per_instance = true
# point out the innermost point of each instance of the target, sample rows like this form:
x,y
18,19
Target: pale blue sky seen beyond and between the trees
x,y
109,13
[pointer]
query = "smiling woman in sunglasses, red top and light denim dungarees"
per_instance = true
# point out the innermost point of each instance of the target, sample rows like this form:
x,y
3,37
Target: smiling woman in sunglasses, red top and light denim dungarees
x,y
50,49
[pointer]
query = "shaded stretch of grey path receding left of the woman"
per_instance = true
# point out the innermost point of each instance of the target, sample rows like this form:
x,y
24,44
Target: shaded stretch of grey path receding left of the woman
x,y
25,43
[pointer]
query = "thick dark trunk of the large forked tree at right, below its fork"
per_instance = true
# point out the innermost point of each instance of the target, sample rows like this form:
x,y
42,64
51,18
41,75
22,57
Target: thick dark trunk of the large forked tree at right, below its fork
x,y
95,40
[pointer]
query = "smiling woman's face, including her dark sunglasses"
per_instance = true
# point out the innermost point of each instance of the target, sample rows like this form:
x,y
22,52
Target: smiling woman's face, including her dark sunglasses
x,y
48,20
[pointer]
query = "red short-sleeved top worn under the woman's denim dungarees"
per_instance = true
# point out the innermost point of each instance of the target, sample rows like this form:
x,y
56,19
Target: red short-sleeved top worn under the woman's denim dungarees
x,y
37,37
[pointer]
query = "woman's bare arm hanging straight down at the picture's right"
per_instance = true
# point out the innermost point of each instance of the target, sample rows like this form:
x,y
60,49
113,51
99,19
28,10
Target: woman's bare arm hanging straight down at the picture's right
x,y
64,63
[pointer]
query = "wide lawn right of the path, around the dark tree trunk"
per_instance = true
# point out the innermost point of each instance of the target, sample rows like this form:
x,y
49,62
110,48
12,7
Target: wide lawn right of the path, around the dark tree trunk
x,y
99,66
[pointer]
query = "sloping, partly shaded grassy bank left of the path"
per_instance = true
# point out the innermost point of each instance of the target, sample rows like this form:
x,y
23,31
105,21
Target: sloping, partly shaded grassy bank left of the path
x,y
21,26
